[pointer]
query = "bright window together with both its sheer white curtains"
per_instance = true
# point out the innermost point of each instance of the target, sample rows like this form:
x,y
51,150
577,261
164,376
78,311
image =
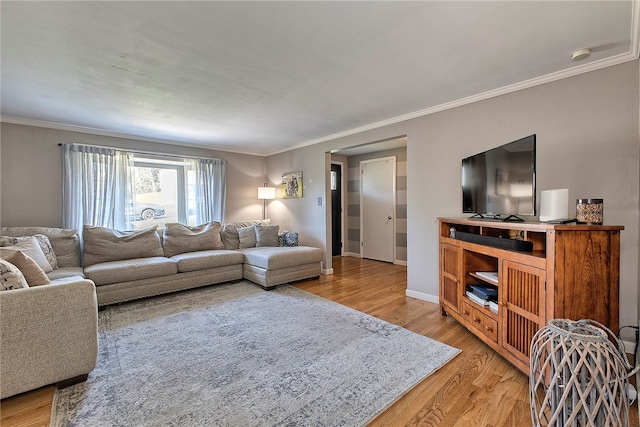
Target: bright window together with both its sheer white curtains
x,y
117,189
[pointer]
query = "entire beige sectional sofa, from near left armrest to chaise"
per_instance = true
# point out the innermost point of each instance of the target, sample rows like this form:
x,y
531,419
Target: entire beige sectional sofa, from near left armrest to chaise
x,y
49,333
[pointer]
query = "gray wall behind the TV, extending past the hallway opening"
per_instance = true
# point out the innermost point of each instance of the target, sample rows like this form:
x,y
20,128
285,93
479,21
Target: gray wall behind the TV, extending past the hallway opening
x,y
588,141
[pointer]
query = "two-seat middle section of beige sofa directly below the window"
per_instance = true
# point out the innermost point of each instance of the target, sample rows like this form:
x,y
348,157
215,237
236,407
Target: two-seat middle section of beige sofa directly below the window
x,y
130,265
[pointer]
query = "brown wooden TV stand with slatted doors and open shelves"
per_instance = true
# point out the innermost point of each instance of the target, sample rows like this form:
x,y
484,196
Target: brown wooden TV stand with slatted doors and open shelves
x,y
571,272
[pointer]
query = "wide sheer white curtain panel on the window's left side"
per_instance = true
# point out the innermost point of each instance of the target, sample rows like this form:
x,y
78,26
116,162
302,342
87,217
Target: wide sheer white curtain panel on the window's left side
x,y
96,187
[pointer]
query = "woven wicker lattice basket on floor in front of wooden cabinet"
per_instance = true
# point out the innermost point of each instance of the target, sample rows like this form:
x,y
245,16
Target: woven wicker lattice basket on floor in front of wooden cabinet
x,y
578,376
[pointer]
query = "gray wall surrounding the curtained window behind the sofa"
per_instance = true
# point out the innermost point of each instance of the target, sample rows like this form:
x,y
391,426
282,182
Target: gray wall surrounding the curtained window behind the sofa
x,y
31,173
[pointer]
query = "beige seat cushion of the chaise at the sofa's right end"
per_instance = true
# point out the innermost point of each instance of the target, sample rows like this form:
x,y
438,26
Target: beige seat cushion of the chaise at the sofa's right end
x,y
273,258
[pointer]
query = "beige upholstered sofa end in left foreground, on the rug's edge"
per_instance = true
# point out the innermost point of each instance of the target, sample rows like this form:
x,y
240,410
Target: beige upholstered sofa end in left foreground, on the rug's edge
x,y
48,334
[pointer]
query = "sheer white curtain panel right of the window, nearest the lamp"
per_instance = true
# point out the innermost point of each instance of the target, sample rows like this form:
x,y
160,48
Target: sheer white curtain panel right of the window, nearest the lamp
x,y
210,190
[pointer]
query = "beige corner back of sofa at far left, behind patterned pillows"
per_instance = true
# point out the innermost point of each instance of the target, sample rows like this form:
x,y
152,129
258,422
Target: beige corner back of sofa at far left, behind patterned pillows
x,y
65,242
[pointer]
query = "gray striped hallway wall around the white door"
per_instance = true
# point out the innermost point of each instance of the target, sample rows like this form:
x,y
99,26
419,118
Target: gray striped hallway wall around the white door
x,y
353,201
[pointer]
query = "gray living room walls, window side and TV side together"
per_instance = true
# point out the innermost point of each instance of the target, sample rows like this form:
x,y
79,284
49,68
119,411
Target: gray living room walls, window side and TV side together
x,y
588,141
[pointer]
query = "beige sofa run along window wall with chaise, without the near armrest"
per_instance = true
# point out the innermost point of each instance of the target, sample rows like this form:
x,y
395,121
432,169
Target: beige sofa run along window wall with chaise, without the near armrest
x,y
136,264
